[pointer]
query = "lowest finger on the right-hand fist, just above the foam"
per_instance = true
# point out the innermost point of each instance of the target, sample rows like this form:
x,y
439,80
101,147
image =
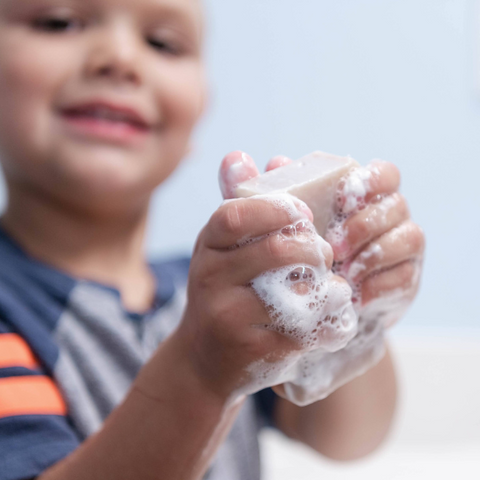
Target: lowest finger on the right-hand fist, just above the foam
x,y
399,280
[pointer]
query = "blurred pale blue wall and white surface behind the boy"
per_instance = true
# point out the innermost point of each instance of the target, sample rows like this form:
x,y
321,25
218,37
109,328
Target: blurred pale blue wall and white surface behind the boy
x,y
374,79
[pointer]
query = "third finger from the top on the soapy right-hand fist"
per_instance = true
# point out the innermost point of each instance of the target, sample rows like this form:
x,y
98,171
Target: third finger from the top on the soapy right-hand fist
x,y
402,243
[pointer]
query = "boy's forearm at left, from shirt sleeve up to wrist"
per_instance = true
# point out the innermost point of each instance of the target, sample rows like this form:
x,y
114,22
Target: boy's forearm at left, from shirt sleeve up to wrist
x,y
168,427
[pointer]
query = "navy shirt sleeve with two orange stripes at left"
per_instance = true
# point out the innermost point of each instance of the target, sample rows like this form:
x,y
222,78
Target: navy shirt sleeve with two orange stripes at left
x,y
34,428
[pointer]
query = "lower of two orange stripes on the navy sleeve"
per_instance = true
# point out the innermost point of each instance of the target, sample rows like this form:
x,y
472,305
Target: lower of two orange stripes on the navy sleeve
x,y
30,395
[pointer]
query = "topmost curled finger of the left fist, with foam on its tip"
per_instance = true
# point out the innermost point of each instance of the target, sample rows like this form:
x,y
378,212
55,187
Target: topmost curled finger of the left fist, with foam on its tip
x,y
238,221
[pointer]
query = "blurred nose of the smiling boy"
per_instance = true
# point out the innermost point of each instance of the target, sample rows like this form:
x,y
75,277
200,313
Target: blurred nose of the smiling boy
x,y
114,55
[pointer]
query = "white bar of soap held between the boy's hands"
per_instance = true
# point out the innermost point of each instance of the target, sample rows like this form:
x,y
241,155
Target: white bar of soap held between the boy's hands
x,y
313,179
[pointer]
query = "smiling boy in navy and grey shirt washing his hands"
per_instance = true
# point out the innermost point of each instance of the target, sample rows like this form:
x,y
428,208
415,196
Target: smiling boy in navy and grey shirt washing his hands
x,y
98,99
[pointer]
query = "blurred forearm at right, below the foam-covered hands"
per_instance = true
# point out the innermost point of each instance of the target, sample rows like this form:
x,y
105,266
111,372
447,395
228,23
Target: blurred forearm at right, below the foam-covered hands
x,y
352,421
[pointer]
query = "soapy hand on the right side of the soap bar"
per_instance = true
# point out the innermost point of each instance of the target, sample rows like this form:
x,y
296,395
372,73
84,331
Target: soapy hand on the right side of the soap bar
x,y
377,247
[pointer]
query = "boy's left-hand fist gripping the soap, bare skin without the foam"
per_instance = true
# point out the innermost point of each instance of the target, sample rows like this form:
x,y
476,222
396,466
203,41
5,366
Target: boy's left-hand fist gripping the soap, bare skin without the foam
x,y
224,322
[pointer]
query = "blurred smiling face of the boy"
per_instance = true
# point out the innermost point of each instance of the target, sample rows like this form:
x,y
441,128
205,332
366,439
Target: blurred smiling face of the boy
x,y
97,97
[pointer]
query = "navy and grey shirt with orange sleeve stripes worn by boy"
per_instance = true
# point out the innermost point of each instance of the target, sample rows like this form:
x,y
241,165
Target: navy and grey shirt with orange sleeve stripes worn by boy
x,y
69,352
